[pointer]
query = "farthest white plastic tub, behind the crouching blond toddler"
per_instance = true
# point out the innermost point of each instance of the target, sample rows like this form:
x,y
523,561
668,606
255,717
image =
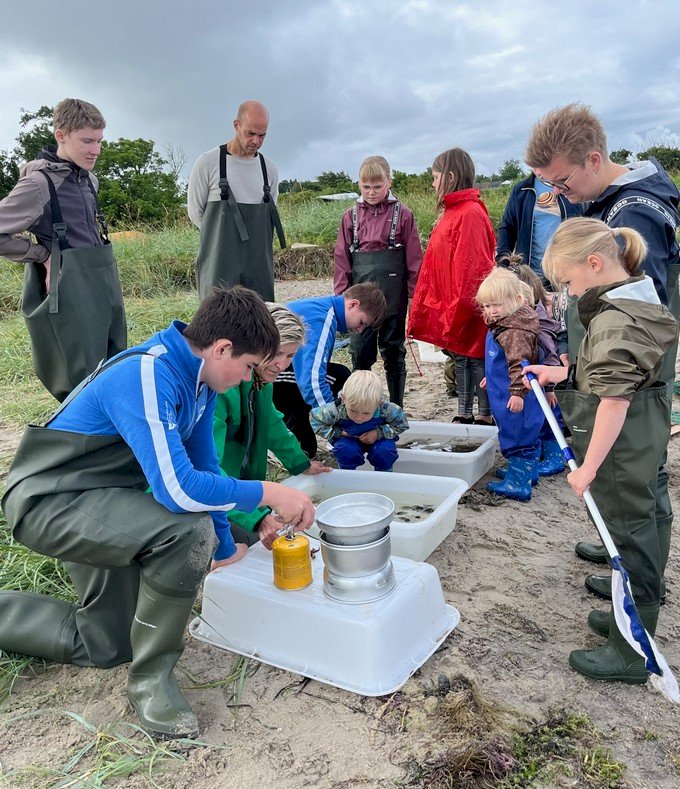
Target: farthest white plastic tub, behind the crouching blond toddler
x,y
468,466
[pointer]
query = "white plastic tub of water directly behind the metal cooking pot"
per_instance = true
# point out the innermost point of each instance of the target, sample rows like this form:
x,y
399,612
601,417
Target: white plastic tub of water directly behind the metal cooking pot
x,y
413,540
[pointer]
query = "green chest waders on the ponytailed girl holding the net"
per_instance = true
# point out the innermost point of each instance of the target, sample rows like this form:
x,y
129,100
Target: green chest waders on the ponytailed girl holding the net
x,y
625,485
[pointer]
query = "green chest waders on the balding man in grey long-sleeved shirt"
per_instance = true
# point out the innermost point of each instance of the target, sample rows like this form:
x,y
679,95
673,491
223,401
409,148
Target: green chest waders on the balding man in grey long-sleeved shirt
x,y
236,239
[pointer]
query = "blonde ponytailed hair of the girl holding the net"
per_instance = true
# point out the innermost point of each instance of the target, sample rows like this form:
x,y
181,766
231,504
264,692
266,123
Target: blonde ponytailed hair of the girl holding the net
x,y
576,239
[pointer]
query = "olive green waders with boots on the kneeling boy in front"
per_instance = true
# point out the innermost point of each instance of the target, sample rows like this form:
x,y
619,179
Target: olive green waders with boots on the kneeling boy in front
x,y
136,565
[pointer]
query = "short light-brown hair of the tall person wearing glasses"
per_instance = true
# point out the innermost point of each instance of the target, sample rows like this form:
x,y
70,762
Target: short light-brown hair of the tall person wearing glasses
x,y
572,131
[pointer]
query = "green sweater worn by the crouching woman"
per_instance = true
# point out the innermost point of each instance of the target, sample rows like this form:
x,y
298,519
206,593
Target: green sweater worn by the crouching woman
x,y
245,426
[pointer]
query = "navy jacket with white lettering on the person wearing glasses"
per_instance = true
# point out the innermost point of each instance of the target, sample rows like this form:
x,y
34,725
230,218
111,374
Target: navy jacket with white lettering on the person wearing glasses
x,y
645,199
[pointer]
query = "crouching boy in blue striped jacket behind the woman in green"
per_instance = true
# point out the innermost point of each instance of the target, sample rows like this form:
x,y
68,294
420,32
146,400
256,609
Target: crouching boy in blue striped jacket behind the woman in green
x,y
313,380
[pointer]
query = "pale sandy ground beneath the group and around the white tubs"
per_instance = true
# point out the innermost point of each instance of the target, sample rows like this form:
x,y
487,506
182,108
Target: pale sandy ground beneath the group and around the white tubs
x,y
508,567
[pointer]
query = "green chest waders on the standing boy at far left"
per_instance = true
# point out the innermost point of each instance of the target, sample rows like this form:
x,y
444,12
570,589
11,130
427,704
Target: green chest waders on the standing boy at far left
x,y
82,319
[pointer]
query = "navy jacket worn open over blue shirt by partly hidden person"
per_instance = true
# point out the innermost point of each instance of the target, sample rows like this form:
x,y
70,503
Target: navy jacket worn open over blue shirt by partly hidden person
x,y
516,229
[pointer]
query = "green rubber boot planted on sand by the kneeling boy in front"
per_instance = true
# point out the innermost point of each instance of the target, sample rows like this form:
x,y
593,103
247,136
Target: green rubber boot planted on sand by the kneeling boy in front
x,y
157,638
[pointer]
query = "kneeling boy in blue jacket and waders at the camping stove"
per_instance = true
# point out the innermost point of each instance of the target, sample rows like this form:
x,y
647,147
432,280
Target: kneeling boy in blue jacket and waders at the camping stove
x,y
77,491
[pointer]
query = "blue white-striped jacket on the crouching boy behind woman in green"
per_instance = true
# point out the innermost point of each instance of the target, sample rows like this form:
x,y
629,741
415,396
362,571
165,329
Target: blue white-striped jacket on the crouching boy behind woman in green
x,y
323,317
